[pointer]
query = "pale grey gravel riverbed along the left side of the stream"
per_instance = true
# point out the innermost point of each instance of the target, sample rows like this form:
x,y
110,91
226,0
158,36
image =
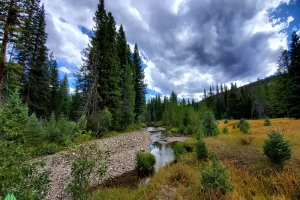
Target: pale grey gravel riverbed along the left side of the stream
x,y
122,149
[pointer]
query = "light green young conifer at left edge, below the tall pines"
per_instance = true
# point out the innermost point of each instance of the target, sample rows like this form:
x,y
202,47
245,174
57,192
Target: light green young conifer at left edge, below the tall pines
x,y
13,117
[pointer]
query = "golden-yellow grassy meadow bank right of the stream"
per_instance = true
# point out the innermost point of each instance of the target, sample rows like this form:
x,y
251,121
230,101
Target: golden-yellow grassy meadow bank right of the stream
x,y
251,173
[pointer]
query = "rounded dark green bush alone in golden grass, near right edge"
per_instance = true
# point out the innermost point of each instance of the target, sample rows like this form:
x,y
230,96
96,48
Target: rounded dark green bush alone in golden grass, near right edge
x,y
276,148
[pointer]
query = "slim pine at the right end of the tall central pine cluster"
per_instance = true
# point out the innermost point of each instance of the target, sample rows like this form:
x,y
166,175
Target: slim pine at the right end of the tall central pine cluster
x,y
140,90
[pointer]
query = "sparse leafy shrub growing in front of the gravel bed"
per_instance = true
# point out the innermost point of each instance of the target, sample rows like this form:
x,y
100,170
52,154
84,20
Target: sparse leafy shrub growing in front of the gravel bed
x,y
89,165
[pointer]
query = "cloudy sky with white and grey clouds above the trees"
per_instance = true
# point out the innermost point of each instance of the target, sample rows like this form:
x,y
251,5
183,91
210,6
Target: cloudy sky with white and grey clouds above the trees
x,y
186,45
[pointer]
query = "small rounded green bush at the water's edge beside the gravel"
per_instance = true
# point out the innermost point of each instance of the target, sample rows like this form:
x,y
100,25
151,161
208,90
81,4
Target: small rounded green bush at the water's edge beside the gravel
x,y
145,161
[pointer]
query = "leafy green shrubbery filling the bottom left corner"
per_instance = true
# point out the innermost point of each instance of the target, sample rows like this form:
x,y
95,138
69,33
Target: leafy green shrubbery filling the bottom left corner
x,y
25,180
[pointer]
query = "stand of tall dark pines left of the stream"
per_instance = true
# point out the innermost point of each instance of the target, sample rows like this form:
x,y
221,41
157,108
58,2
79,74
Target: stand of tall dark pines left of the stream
x,y
110,87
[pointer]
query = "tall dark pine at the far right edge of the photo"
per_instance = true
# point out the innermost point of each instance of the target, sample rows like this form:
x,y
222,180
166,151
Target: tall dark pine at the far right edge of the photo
x,y
293,89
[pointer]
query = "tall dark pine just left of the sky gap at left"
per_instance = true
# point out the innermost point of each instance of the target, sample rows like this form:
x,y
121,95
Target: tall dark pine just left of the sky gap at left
x,y
37,82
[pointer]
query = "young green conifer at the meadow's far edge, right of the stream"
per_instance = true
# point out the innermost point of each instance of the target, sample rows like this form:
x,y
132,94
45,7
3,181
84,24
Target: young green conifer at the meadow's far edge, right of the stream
x,y
210,127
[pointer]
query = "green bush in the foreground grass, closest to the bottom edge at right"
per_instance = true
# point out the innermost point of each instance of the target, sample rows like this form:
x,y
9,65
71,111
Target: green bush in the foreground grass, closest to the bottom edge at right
x,y
216,179
